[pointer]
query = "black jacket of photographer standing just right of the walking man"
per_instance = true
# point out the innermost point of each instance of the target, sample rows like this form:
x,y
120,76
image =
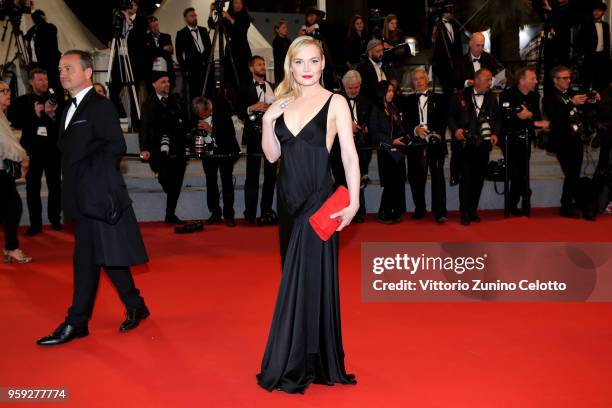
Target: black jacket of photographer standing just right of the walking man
x,y
158,120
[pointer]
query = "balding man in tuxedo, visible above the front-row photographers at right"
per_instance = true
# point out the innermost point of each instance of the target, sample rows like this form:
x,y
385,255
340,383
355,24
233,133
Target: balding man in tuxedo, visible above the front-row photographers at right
x,y
475,59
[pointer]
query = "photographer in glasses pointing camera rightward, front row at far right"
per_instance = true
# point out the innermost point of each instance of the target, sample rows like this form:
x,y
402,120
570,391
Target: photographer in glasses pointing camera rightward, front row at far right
x,y
563,109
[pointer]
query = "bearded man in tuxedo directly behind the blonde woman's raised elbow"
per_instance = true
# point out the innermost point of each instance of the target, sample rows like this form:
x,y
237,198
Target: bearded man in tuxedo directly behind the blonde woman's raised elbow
x,y
254,98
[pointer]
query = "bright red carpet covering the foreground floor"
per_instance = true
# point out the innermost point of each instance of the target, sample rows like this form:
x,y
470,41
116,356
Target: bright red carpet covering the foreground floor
x,y
211,296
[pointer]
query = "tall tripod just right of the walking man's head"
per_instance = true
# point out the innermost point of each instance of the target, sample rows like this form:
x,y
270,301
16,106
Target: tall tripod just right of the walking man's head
x,y
119,49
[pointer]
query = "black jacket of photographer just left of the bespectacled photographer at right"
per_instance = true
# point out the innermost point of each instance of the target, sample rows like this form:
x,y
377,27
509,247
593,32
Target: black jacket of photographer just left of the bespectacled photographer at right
x,y
515,99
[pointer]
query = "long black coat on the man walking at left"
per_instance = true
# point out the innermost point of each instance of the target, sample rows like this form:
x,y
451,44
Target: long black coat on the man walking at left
x,y
93,188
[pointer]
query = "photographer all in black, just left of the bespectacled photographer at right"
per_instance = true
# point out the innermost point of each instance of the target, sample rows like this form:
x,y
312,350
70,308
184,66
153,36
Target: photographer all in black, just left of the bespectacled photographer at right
x,y
520,108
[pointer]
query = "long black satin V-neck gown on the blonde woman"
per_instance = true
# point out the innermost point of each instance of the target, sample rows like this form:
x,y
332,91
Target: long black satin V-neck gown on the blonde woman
x,y
305,342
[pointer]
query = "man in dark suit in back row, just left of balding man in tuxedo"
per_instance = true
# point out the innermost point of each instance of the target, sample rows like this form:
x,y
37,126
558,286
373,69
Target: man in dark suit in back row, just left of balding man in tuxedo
x,y
447,47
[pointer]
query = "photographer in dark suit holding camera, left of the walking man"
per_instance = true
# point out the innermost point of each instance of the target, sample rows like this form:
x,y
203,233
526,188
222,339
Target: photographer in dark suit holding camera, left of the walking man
x,y
37,115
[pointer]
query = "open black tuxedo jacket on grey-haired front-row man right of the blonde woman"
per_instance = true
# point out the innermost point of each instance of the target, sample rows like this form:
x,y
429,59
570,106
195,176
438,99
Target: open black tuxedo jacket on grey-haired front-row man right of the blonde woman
x,y
437,109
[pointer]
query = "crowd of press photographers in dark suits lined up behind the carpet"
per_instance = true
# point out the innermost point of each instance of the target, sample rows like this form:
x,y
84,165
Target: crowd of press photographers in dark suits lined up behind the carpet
x,y
411,117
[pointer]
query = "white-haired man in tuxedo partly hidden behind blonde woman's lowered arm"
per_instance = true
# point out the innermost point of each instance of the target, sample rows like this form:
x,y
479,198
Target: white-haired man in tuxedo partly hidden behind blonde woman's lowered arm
x,y
361,108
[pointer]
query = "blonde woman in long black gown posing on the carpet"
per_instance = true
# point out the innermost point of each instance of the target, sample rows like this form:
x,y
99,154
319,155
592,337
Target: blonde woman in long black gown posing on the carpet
x,y
305,341
